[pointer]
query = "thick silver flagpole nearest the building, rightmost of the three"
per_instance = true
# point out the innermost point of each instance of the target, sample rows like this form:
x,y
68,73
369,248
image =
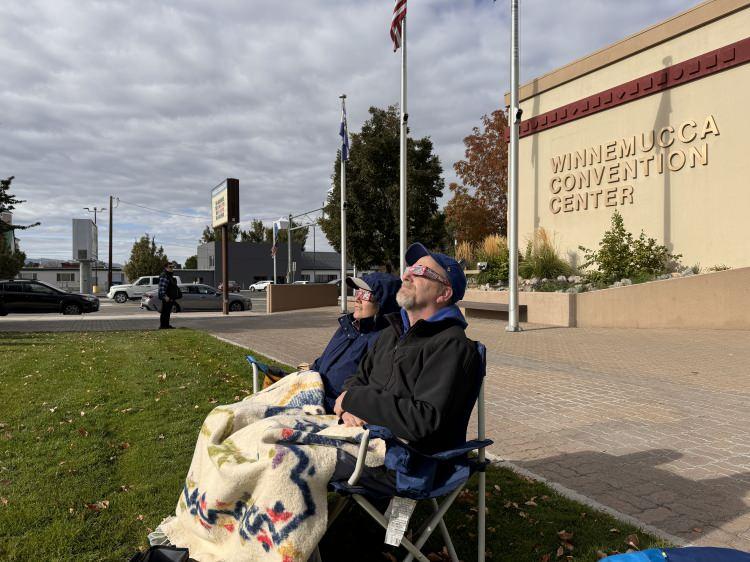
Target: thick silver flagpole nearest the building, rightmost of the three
x,y
513,118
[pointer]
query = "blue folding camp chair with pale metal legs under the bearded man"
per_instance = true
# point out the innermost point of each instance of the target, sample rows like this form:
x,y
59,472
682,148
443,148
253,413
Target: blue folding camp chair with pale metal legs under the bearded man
x,y
424,477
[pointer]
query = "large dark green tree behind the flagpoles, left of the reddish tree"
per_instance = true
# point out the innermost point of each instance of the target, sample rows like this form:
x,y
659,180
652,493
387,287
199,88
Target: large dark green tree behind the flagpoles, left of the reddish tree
x,y
373,194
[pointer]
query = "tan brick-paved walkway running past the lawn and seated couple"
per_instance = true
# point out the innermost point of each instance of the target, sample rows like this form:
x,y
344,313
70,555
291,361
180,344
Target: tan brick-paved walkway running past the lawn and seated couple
x,y
654,424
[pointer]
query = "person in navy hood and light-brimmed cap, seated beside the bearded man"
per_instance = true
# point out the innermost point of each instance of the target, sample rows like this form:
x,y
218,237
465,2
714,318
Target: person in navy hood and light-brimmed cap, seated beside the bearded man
x,y
374,297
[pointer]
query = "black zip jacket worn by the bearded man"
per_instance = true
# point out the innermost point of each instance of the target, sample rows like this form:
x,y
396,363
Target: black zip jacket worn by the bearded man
x,y
420,383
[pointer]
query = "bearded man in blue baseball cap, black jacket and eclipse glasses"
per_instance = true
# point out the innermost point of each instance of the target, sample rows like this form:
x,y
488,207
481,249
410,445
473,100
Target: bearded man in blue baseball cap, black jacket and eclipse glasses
x,y
417,380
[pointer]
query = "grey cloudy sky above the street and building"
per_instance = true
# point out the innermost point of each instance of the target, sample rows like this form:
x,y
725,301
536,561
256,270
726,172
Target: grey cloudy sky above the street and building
x,y
155,102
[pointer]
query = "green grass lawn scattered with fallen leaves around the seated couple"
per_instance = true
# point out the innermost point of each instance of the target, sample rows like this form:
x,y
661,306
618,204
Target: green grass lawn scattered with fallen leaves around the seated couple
x,y
97,432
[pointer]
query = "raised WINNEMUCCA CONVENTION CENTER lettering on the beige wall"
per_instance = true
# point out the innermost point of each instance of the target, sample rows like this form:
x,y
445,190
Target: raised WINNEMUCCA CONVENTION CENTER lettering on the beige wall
x,y
597,168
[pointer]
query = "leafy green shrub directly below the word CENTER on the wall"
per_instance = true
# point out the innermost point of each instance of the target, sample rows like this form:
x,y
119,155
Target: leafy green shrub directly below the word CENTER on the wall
x,y
622,256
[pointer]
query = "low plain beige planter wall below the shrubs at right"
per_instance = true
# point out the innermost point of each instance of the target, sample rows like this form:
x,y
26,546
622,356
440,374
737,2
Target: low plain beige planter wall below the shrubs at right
x,y
718,300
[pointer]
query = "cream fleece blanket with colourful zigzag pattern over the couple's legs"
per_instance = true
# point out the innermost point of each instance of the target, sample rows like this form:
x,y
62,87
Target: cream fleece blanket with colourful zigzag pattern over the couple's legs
x,y
257,485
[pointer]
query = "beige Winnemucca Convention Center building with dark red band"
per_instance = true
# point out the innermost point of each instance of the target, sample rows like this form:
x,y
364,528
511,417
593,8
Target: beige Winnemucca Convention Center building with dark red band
x,y
656,127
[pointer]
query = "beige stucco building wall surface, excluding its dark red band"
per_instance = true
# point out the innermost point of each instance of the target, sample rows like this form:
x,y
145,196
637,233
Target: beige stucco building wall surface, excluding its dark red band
x,y
698,211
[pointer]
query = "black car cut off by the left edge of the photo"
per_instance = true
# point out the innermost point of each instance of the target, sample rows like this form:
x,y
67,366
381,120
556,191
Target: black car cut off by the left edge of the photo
x,y
21,295
